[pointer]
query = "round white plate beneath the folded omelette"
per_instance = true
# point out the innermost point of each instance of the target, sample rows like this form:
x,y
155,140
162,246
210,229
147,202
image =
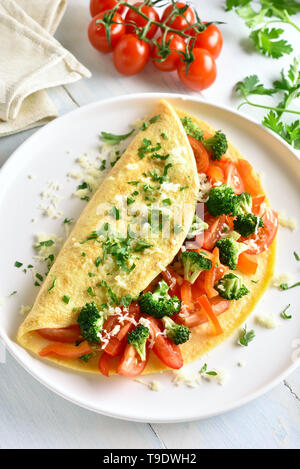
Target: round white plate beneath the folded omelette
x,y
49,154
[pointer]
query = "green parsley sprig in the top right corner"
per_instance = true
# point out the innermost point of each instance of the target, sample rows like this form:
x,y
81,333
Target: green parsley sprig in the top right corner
x,y
260,16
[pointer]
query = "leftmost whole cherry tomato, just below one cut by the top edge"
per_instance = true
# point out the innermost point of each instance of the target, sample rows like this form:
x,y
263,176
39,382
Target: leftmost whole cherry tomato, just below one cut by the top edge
x,y
97,34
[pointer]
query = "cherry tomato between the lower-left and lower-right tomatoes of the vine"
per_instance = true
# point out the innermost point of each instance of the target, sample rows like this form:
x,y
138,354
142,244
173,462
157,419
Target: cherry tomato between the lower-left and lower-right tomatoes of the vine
x,y
176,44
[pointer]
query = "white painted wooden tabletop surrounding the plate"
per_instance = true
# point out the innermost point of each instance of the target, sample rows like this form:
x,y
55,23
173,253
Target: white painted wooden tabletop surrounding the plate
x,y
32,416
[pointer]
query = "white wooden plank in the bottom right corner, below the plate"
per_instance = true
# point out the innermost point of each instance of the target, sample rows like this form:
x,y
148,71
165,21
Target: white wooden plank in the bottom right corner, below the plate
x,y
272,421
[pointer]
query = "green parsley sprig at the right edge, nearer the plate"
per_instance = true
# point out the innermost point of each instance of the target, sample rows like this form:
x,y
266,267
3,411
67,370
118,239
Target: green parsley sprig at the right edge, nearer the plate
x,y
288,87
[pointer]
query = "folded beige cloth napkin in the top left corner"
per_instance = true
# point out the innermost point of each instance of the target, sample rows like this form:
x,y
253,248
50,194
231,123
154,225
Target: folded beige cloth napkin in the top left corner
x,y
31,60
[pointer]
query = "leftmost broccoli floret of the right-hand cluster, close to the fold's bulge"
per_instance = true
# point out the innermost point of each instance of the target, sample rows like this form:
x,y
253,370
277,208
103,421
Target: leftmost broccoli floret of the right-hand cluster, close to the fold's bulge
x,y
221,201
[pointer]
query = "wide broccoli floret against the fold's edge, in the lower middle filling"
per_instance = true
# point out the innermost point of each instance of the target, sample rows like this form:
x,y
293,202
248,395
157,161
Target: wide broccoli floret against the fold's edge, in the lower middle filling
x,y
159,303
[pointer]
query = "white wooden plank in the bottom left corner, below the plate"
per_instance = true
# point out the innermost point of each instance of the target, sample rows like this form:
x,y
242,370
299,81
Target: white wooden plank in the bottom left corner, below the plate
x,y
34,417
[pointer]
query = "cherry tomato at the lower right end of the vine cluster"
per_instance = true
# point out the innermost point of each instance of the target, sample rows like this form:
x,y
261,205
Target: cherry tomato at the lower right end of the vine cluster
x,y
201,73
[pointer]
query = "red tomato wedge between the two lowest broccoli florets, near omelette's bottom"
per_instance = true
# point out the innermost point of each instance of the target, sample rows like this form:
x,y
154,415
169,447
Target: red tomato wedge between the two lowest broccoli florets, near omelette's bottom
x,y
164,348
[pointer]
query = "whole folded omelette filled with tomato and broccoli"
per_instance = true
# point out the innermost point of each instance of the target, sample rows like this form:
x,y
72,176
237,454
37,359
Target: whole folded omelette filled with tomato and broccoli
x,y
166,261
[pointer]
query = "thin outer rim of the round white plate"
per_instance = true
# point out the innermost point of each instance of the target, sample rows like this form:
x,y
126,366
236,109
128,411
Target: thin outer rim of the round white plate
x,y
5,169
